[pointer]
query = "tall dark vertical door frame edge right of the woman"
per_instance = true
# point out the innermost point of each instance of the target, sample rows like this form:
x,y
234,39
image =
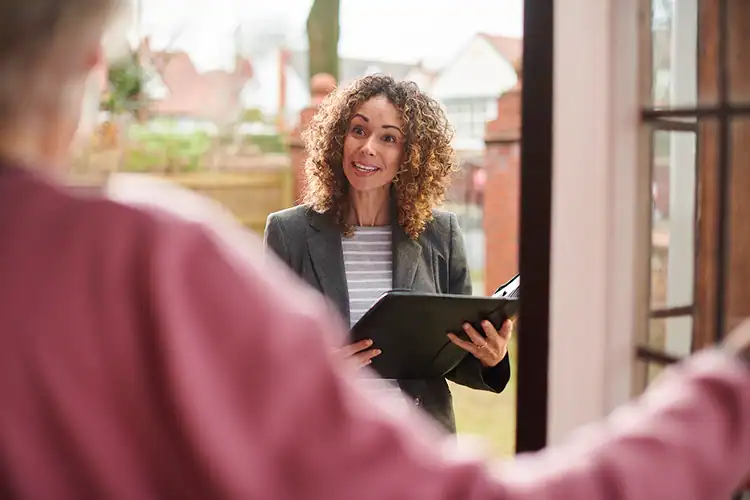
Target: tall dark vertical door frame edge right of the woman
x,y
535,225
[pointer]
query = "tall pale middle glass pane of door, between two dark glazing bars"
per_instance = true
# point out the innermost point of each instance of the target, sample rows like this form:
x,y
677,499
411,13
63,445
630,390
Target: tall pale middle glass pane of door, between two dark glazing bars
x,y
673,211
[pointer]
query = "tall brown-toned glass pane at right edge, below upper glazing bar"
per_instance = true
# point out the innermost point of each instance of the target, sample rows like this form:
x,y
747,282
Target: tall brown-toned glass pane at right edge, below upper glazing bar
x,y
737,290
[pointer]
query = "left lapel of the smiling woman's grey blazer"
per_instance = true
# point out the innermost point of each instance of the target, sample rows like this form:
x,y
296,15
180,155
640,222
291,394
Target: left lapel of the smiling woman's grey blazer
x,y
326,253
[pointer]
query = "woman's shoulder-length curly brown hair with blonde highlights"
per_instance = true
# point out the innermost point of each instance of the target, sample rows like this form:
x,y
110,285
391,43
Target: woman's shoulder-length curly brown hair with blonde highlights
x,y
429,158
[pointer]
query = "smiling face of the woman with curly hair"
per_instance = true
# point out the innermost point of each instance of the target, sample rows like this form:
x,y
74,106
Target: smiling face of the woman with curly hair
x,y
374,145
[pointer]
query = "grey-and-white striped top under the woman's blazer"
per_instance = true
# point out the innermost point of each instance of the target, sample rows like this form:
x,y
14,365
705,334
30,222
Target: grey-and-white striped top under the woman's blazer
x,y
368,260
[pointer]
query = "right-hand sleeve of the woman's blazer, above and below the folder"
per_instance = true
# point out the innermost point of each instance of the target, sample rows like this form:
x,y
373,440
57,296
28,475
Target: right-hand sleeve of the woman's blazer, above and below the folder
x,y
470,372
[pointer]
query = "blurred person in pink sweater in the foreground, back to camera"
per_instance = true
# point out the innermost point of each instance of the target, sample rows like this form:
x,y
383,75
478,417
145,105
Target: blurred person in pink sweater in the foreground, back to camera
x,y
136,351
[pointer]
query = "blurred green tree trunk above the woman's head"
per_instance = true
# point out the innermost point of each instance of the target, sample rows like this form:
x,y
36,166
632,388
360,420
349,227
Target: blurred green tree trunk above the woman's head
x,y
323,38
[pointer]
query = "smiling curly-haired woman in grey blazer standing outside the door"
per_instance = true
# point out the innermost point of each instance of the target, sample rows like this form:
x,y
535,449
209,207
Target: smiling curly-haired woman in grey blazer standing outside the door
x,y
379,163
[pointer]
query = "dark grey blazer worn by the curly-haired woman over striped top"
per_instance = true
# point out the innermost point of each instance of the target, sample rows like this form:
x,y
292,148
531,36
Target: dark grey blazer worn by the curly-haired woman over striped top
x,y
310,244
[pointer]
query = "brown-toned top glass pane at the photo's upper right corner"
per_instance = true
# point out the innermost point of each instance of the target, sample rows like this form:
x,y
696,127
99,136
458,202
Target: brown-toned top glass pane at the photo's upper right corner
x,y
738,47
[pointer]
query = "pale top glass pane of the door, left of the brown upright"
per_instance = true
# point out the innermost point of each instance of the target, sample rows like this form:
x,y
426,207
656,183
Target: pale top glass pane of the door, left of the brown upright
x,y
674,54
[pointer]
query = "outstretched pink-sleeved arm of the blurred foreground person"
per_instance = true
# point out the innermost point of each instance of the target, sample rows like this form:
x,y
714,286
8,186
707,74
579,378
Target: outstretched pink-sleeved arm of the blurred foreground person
x,y
310,433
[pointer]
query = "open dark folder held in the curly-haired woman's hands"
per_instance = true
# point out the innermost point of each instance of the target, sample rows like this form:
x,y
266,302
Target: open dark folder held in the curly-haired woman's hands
x,y
411,330
